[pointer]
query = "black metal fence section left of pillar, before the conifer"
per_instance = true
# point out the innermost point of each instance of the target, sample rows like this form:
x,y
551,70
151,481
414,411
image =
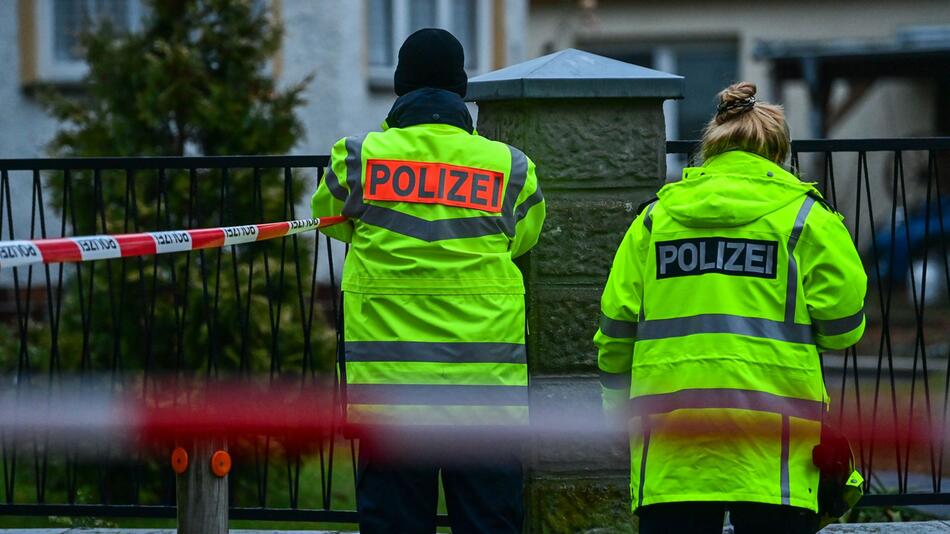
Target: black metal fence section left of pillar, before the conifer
x,y
122,326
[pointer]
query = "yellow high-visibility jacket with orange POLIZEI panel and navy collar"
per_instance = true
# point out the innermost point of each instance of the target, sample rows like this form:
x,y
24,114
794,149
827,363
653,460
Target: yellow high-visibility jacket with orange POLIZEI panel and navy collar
x,y
434,312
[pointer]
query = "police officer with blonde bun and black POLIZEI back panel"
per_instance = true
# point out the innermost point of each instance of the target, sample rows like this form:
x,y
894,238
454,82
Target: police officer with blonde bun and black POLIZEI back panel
x,y
721,295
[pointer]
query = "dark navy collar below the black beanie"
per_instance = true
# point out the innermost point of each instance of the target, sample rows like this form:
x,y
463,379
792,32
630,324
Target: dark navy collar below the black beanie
x,y
429,106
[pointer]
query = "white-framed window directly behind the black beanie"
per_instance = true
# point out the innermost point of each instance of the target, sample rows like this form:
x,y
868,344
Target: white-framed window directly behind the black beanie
x,y
391,21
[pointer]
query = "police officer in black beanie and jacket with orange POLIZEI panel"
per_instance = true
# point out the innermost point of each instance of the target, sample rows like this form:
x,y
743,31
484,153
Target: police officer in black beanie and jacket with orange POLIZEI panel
x,y
434,314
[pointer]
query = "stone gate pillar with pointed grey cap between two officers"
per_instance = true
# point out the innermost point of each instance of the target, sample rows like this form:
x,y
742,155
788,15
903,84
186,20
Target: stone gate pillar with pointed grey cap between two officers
x,y
595,129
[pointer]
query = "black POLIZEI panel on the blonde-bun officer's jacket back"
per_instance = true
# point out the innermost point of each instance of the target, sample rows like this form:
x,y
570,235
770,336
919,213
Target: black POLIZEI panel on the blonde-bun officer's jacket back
x,y
721,255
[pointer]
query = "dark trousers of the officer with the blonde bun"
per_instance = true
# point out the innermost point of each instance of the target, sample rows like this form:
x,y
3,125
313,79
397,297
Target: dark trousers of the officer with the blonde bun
x,y
707,518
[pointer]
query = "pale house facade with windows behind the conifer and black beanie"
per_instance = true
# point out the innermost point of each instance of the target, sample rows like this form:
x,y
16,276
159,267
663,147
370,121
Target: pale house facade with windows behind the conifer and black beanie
x,y
350,47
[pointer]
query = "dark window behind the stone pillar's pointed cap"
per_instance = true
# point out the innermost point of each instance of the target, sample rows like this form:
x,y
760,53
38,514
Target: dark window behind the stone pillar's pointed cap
x,y
708,66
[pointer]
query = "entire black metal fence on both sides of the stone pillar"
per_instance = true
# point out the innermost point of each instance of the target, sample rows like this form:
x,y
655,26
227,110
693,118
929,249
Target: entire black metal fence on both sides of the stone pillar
x,y
272,309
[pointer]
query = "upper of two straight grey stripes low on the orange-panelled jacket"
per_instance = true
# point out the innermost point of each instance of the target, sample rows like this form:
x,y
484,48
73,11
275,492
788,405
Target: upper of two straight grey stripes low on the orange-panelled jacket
x,y
411,351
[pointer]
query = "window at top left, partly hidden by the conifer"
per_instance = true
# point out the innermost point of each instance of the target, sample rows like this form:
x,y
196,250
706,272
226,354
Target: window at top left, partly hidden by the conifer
x,y
59,25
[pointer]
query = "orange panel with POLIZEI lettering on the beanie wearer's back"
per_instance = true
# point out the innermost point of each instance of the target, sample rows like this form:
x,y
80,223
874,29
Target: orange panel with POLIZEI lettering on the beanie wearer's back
x,y
433,183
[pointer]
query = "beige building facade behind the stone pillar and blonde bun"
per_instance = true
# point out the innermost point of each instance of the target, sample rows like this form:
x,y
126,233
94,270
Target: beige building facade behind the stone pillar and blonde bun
x,y
713,44
